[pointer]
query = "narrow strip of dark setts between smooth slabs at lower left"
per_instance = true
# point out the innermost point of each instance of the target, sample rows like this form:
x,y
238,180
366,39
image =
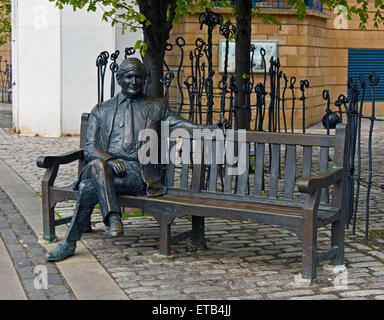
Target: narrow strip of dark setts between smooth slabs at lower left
x,y
28,256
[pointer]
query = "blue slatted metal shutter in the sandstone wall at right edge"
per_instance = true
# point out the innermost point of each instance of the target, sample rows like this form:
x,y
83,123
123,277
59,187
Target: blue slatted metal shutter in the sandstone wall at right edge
x,y
366,61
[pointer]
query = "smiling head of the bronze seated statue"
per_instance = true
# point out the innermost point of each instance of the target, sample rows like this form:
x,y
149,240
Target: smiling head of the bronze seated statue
x,y
131,77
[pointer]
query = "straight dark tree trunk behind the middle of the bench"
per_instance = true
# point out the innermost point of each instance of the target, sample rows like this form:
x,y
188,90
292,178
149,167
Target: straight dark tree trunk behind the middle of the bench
x,y
243,45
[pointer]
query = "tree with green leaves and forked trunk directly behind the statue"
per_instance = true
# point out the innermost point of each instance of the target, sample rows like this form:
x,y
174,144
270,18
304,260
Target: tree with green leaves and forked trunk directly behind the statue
x,y
155,18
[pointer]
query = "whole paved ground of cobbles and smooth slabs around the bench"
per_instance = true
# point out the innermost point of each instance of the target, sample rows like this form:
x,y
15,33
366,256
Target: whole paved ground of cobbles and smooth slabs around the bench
x,y
244,261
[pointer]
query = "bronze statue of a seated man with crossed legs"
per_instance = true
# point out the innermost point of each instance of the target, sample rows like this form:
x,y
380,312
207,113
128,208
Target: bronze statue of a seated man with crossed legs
x,y
111,154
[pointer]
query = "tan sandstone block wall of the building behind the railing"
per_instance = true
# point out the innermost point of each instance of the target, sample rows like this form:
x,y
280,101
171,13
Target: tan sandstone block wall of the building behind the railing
x,y
311,49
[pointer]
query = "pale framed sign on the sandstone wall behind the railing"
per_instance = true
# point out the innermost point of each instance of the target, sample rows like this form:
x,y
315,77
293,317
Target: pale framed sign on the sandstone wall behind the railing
x,y
269,47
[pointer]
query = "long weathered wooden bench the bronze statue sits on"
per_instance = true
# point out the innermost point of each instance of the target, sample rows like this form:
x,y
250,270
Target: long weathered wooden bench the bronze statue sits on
x,y
265,192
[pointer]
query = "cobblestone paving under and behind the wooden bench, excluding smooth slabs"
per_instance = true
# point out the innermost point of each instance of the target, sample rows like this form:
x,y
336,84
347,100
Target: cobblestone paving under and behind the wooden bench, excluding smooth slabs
x,y
244,260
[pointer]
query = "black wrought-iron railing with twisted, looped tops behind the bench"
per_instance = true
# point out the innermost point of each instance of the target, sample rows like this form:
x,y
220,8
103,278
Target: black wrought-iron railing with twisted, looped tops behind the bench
x,y
272,105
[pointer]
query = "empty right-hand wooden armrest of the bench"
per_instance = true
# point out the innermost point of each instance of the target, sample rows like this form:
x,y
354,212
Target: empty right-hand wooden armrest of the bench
x,y
325,179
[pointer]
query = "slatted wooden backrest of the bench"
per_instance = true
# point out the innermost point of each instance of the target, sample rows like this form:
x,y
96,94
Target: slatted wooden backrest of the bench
x,y
273,163
